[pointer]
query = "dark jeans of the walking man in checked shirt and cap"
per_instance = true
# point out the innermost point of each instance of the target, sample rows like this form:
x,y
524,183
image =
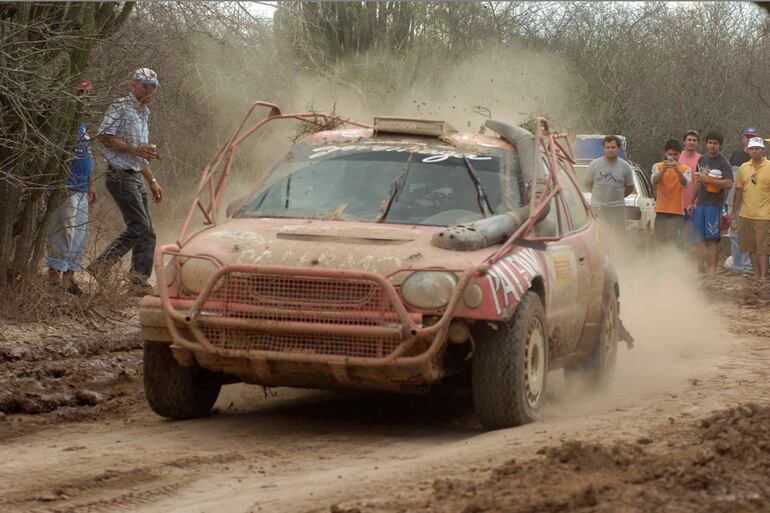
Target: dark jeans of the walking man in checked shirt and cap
x,y
130,194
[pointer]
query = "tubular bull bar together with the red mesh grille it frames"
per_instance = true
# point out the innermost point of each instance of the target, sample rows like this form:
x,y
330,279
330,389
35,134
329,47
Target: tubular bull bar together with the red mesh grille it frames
x,y
253,314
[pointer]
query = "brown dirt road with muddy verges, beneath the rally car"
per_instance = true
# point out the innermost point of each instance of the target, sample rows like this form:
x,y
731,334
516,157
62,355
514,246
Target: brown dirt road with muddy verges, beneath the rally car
x,y
77,436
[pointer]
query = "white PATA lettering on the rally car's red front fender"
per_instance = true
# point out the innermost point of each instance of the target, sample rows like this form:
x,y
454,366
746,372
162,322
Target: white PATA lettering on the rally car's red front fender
x,y
509,279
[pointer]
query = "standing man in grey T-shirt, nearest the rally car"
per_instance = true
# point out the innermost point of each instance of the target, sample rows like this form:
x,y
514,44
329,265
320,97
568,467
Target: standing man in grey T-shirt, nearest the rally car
x,y
610,179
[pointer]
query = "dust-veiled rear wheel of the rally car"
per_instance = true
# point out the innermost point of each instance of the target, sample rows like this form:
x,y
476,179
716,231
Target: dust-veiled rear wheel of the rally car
x,y
597,370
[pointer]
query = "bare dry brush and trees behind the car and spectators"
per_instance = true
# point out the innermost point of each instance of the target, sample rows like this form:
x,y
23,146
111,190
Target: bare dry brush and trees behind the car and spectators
x,y
645,70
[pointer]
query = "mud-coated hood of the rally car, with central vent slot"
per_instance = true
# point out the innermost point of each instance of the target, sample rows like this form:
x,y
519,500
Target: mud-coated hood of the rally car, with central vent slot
x,y
379,248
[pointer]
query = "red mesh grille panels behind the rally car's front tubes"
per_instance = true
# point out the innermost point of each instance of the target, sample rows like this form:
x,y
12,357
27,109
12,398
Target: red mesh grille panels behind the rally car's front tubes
x,y
300,300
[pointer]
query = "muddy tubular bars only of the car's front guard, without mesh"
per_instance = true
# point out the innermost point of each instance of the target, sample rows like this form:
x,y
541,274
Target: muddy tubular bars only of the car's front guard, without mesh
x,y
186,316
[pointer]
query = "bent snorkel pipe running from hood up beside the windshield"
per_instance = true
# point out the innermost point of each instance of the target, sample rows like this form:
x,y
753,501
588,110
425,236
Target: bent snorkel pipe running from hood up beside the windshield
x,y
496,229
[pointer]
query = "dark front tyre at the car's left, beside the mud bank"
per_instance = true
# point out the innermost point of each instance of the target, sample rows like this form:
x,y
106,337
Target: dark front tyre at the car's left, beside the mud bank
x,y
173,390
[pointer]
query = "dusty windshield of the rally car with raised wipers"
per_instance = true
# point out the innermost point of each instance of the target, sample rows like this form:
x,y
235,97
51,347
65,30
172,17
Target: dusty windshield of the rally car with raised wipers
x,y
403,182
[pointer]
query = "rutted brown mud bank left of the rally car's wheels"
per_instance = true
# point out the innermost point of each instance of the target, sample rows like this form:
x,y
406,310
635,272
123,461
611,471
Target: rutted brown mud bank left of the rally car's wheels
x,y
66,371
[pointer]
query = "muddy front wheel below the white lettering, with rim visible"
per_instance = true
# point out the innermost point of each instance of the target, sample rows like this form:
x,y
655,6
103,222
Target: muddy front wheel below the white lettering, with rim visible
x,y
509,367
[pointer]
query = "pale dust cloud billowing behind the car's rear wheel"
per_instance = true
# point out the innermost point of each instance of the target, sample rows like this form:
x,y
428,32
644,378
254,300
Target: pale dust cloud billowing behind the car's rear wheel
x,y
678,334
